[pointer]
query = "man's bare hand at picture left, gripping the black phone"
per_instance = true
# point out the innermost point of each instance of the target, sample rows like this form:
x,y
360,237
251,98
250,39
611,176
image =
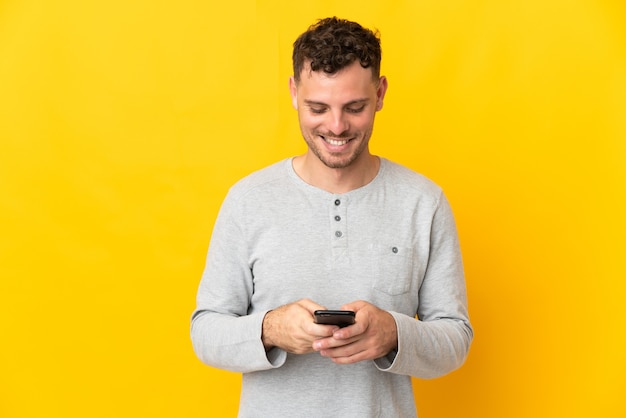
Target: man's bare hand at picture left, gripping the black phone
x,y
291,327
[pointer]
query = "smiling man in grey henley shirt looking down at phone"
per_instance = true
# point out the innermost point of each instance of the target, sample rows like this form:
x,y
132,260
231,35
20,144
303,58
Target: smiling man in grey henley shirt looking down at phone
x,y
334,228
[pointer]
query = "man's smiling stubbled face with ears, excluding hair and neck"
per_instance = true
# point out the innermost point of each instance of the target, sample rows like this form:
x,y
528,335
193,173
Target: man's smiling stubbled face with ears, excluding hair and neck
x,y
336,112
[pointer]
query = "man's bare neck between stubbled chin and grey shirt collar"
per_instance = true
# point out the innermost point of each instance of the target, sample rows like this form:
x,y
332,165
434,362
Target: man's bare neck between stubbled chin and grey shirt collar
x,y
336,180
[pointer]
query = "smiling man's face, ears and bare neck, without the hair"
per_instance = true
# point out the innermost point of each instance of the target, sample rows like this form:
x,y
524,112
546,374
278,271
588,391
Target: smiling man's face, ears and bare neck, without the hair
x,y
336,113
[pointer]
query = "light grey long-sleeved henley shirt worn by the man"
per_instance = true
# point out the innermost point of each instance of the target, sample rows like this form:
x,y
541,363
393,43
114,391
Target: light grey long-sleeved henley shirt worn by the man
x,y
277,239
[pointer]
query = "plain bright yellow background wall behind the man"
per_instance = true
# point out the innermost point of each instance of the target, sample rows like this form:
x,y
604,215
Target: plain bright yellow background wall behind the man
x,y
123,123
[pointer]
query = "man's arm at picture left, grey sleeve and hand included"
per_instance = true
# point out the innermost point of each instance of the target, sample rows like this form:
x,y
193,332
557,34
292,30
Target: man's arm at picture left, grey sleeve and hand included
x,y
226,332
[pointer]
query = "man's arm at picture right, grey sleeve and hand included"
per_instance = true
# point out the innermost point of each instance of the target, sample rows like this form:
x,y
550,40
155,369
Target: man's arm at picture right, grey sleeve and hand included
x,y
435,344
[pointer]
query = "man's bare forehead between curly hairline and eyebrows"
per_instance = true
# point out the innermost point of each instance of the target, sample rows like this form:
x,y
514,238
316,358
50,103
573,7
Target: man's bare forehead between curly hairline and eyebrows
x,y
350,83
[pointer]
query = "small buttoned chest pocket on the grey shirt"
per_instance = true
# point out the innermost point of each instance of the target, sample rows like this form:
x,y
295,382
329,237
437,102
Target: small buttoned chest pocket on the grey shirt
x,y
392,268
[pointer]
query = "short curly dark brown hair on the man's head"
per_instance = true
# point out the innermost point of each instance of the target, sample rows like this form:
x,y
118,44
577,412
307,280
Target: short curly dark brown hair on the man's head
x,y
333,44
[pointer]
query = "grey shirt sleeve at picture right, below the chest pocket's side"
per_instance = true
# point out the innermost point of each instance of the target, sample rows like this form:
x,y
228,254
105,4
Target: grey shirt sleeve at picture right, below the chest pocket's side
x,y
438,340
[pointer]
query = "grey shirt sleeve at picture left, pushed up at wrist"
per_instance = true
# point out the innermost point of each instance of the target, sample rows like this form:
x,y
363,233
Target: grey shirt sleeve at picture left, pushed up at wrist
x,y
223,333
